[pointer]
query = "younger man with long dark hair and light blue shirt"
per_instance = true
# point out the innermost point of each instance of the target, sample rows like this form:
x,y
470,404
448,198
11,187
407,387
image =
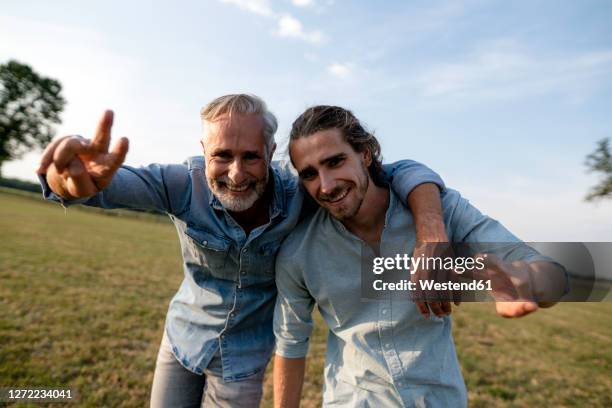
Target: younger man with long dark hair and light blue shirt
x,y
381,352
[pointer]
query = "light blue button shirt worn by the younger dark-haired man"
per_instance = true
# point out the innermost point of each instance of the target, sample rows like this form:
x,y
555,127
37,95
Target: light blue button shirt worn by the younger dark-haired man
x,y
380,352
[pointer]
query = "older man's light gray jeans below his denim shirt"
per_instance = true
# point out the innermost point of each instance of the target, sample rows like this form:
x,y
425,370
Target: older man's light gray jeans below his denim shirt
x,y
175,386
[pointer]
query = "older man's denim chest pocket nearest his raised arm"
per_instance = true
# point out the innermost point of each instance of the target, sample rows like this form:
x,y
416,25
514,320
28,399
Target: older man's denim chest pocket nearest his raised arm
x,y
209,249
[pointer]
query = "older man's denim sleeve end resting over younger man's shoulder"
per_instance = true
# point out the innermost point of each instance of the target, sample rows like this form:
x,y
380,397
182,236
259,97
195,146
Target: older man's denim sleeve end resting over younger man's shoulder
x,y
405,175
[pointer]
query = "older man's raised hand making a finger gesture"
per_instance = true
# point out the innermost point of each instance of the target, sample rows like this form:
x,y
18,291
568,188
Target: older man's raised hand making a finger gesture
x,y
76,167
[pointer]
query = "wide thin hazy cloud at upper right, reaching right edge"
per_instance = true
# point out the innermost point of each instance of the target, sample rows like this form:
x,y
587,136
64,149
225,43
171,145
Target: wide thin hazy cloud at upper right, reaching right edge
x,y
507,70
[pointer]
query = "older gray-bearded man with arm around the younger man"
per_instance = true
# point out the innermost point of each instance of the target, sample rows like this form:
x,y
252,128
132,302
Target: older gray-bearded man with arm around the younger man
x,y
232,208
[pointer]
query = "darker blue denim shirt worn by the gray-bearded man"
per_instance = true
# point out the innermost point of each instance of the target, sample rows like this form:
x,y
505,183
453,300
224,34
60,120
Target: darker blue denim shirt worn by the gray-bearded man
x,y
225,303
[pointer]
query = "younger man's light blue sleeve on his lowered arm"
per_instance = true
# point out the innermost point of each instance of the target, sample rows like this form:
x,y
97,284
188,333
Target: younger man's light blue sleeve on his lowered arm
x,y
293,313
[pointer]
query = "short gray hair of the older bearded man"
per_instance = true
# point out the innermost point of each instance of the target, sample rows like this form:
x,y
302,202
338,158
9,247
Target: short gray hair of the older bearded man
x,y
243,104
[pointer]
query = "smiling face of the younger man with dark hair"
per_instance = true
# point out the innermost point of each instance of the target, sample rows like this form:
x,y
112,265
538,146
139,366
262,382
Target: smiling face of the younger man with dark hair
x,y
334,174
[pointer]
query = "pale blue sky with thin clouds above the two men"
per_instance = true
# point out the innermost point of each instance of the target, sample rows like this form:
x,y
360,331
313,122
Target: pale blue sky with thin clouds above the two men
x,y
503,99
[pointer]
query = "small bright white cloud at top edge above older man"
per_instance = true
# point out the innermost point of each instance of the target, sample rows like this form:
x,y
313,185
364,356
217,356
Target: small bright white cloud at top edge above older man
x,y
287,25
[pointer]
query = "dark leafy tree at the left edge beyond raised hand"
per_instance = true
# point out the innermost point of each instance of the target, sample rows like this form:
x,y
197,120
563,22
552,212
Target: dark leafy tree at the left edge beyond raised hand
x,y
30,106
